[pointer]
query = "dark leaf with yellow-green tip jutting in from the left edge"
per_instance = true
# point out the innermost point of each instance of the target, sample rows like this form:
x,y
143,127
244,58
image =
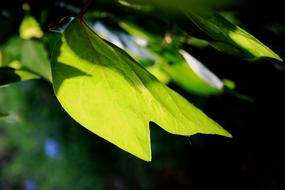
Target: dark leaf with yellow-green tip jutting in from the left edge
x,y
9,75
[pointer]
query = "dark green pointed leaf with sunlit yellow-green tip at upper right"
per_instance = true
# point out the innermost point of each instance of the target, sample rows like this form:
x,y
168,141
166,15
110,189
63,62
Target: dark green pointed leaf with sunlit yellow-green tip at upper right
x,y
223,31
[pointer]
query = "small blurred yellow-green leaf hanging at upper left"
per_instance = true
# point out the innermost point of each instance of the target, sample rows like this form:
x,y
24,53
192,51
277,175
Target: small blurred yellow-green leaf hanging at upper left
x,y
30,28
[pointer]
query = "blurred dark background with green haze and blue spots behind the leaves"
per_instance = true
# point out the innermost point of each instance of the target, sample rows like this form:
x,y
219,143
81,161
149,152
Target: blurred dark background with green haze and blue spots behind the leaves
x,y
41,147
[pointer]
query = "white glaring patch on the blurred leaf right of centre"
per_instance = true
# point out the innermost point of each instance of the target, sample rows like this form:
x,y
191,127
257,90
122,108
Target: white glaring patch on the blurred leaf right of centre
x,y
202,71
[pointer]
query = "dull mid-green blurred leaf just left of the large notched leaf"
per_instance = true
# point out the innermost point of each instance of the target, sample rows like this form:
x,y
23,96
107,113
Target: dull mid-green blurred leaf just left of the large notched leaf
x,y
35,58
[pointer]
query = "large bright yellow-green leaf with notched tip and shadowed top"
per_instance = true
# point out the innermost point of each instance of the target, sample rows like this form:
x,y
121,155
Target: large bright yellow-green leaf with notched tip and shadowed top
x,y
110,94
